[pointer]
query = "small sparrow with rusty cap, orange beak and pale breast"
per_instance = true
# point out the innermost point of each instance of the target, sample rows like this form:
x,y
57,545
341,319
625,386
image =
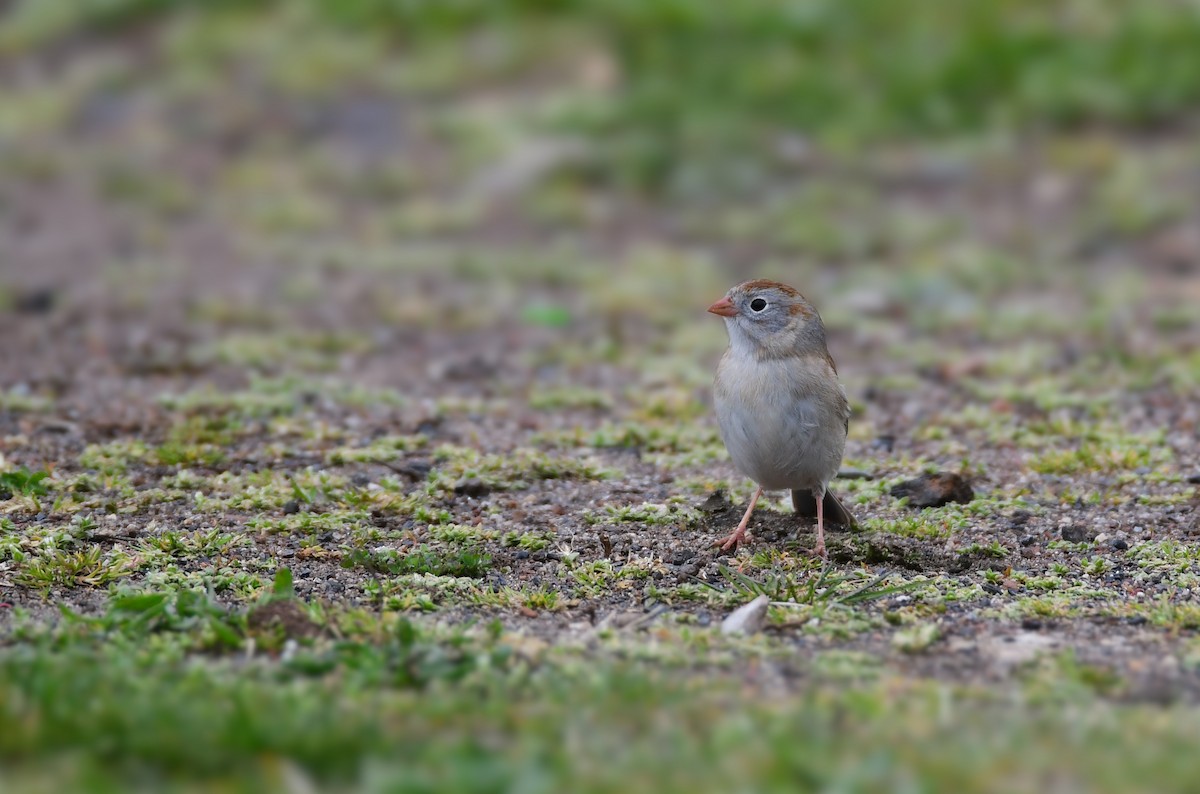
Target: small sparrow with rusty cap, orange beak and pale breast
x,y
783,413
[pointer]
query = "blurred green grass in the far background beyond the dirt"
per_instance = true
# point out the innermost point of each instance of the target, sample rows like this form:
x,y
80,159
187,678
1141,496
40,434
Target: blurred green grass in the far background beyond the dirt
x,y
829,71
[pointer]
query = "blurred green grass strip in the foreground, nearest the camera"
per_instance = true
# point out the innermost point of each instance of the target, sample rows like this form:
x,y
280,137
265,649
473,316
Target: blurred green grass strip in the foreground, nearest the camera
x,y
413,706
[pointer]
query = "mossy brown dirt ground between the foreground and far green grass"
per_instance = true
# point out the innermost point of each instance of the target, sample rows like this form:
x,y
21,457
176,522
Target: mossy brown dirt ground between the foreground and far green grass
x,y
247,284
